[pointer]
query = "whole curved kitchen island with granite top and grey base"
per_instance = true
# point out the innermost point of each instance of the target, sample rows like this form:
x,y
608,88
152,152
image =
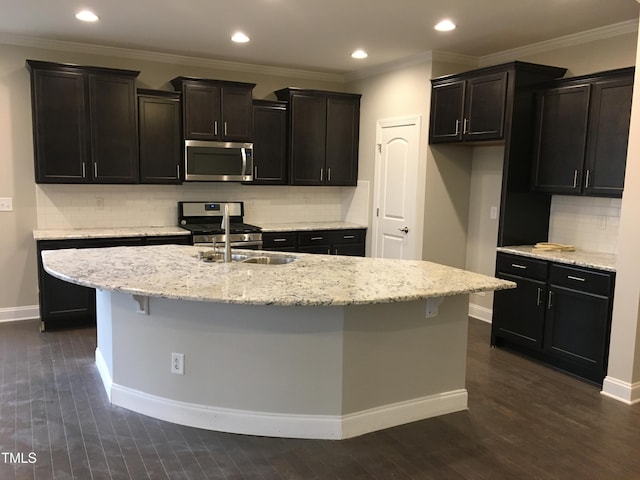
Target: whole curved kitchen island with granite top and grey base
x,y
322,347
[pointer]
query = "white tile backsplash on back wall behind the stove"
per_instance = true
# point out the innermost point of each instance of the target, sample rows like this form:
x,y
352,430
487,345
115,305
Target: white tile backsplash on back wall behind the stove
x,y
96,206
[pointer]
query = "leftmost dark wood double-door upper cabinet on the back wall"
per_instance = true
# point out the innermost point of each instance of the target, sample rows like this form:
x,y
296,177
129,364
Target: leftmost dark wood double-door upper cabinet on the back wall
x,y
84,123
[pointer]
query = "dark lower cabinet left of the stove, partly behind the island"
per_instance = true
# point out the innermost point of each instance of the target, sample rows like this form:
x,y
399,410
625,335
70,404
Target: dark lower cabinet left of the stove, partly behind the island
x,y
66,305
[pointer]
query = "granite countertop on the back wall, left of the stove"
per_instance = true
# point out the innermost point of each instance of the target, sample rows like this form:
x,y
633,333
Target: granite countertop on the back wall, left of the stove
x,y
106,232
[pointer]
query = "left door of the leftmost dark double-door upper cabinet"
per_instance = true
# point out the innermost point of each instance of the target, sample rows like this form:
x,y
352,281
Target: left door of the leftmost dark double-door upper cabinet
x,y
60,122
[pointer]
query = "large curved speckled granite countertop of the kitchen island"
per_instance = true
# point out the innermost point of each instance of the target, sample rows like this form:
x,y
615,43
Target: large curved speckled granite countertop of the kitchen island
x,y
174,271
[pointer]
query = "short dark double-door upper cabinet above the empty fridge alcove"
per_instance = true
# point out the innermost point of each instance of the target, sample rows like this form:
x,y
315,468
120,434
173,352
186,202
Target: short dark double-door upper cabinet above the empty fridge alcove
x,y
471,108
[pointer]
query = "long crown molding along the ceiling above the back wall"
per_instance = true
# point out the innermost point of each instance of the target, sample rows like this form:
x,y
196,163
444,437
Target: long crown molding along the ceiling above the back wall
x,y
174,59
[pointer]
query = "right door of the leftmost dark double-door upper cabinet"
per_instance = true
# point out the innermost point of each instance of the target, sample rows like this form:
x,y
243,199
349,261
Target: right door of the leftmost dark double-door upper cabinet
x,y
114,147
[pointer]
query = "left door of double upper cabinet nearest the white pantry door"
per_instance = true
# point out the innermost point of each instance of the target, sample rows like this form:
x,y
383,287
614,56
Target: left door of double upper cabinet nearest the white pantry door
x,y
308,136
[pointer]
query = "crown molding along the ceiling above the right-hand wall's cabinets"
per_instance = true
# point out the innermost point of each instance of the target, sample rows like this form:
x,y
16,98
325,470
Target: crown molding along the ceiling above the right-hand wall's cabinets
x,y
617,29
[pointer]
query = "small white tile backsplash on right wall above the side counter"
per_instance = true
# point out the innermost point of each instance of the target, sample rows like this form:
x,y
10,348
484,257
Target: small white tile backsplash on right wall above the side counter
x,y
589,223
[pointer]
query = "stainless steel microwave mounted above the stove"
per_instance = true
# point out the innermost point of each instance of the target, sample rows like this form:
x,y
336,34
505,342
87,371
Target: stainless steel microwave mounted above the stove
x,y
206,161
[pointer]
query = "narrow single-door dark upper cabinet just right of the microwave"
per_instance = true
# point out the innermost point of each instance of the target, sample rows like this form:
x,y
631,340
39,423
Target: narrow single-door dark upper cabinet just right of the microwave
x,y
270,144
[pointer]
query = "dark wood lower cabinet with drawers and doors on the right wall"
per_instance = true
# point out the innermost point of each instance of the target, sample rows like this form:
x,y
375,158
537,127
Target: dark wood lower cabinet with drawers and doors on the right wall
x,y
563,319
